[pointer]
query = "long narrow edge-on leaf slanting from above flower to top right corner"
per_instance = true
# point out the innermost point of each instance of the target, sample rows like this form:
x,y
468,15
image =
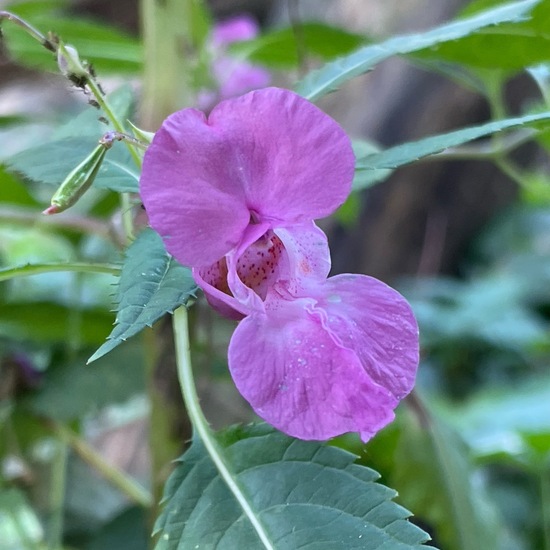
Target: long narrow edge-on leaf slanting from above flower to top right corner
x,y
333,74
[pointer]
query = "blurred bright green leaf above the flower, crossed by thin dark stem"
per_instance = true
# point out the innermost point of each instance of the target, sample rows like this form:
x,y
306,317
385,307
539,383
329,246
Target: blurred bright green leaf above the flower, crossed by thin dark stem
x,y
278,48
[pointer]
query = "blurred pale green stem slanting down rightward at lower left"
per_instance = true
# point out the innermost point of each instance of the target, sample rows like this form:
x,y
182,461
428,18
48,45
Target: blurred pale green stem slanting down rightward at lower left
x,y
131,488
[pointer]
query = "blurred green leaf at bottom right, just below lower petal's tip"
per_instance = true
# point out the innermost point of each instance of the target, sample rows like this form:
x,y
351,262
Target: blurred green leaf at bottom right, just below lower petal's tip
x,y
437,478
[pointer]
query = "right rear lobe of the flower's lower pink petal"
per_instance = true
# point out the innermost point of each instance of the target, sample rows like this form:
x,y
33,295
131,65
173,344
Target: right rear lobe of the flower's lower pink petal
x,y
376,322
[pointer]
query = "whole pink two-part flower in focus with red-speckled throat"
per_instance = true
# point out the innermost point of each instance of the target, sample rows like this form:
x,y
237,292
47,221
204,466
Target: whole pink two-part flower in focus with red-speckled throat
x,y
234,196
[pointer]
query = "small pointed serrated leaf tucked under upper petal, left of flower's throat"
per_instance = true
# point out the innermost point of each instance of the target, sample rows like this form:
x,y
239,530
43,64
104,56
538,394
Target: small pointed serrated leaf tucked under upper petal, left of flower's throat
x,y
151,284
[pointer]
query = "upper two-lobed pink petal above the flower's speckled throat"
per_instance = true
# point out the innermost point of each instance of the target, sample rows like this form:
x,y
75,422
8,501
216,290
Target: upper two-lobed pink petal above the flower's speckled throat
x,y
269,154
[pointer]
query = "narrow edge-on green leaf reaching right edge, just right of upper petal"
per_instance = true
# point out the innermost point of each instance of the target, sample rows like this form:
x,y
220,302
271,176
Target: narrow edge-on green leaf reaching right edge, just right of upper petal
x,y
409,152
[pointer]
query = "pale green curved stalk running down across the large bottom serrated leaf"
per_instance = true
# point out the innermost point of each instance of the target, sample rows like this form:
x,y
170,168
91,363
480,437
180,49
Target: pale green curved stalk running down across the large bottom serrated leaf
x,y
200,424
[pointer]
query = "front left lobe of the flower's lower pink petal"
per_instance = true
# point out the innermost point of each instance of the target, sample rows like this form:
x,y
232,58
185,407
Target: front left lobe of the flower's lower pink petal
x,y
300,380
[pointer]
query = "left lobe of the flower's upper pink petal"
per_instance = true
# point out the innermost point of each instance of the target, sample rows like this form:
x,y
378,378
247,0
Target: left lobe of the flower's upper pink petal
x,y
191,190
